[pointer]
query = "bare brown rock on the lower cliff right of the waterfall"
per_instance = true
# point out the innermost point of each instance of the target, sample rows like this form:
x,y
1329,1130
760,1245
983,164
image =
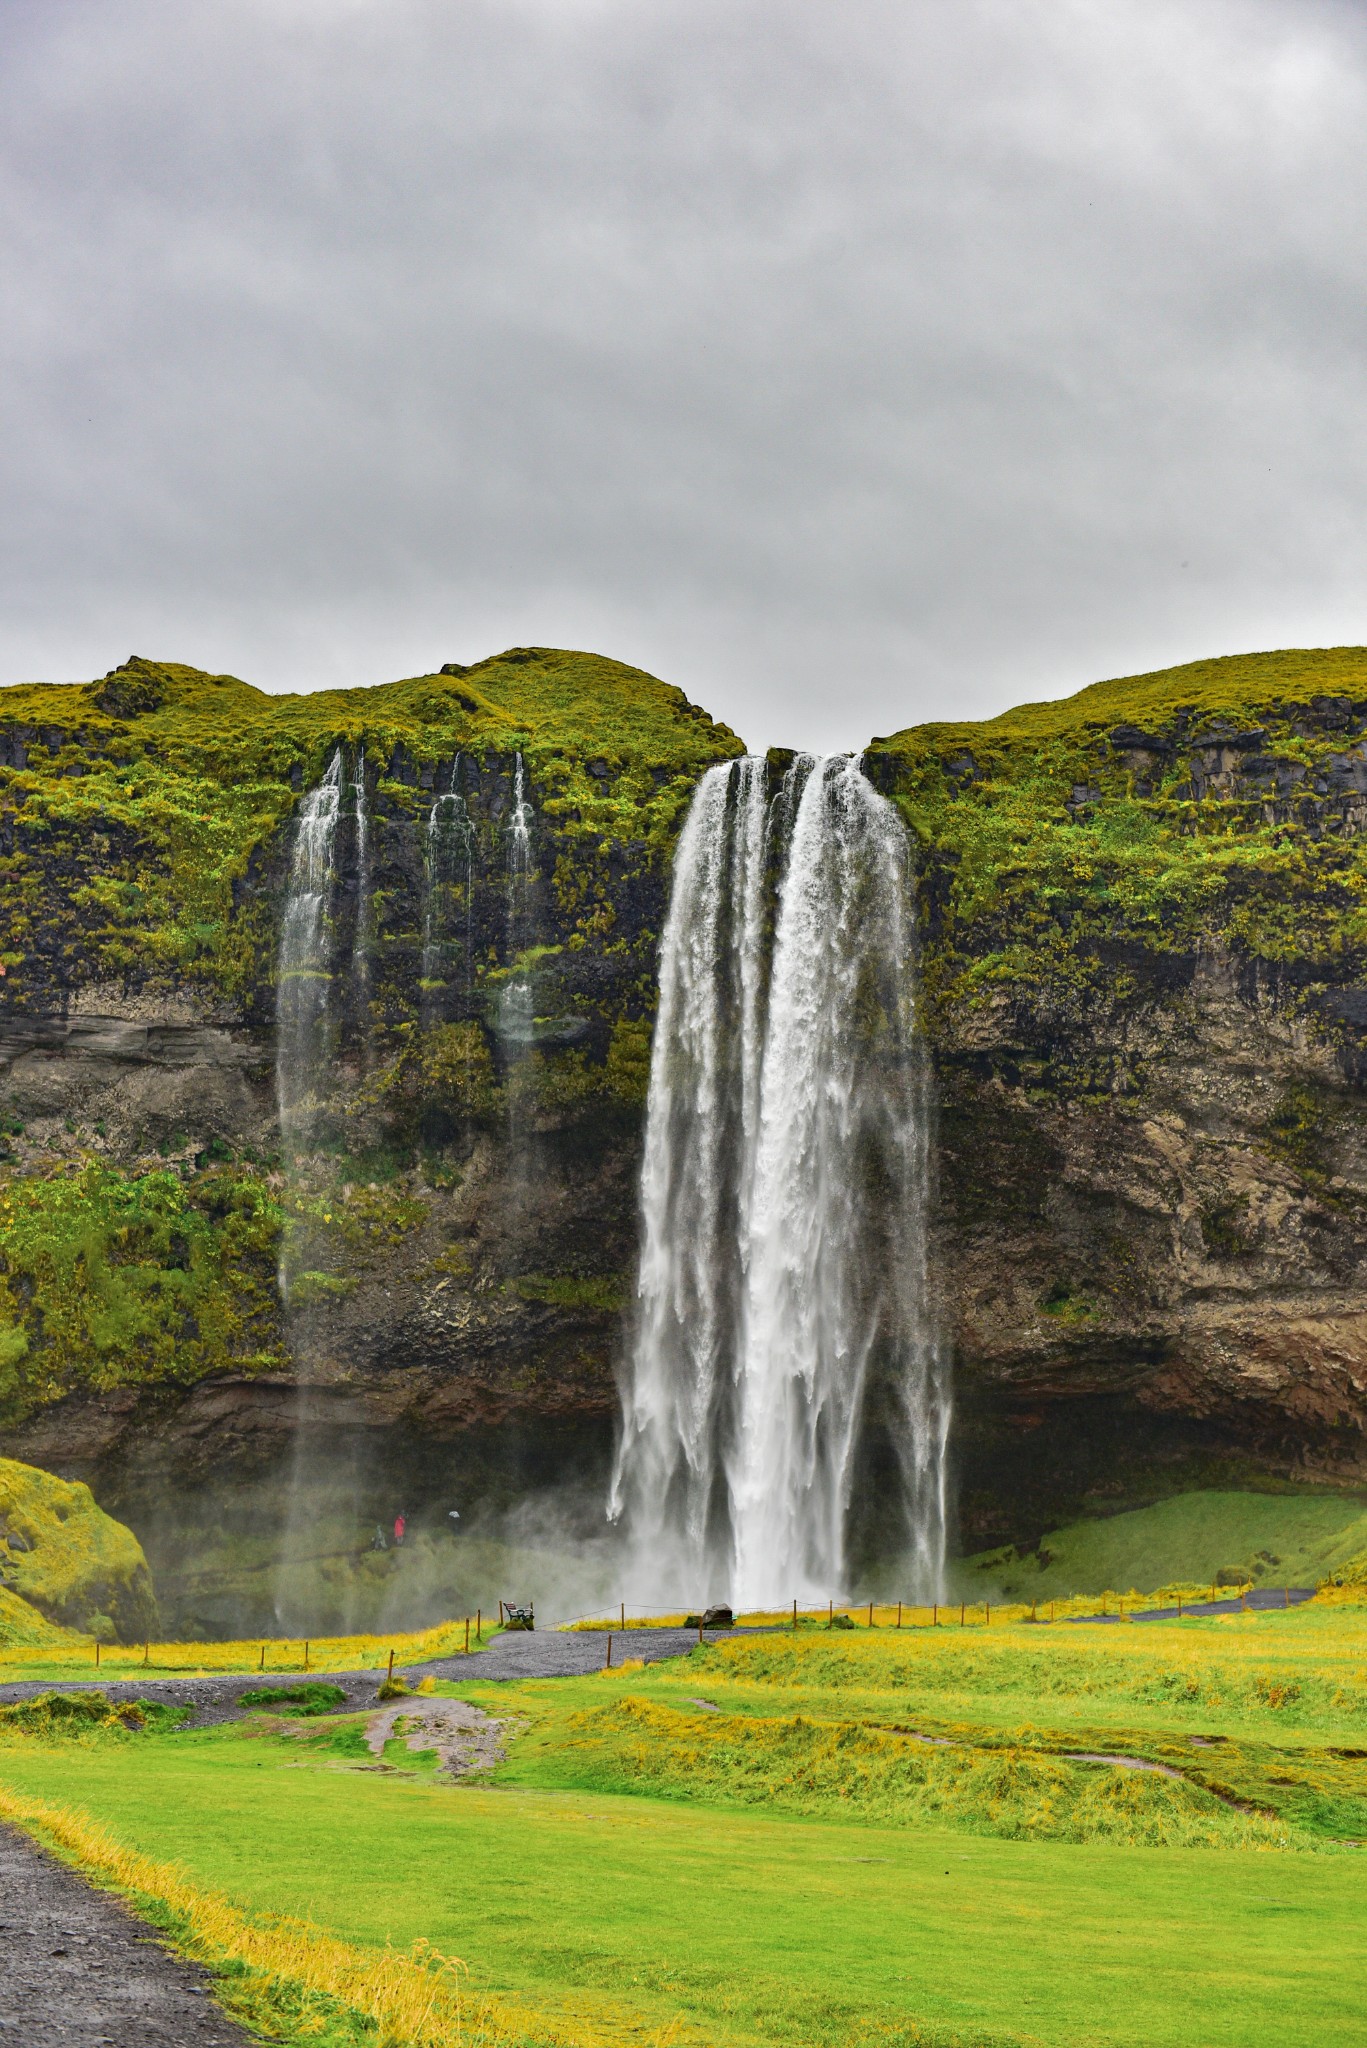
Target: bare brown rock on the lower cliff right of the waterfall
x,y
1163,1281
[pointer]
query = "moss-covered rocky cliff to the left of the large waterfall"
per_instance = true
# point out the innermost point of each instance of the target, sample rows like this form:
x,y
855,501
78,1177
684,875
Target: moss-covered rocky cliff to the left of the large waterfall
x,y
460,1224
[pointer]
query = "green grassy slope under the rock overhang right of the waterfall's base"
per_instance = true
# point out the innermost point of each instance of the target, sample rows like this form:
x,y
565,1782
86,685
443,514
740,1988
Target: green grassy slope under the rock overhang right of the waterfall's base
x,y
1192,1541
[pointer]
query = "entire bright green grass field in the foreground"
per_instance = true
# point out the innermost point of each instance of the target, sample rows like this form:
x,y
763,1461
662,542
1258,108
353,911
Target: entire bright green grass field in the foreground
x,y
792,1865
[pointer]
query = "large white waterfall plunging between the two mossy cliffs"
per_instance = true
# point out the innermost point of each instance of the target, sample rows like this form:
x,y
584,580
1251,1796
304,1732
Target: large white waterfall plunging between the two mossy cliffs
x,y
788,1406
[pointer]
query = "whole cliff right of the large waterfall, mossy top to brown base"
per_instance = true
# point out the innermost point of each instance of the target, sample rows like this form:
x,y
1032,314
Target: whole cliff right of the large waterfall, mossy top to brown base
x,y
1145,947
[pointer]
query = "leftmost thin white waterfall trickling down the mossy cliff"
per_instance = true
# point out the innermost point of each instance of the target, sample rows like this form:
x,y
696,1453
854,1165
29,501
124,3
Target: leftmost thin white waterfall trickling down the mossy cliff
x,y
304,968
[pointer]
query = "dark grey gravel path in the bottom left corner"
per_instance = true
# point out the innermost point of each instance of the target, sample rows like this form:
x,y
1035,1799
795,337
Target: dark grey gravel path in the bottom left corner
x,y
83,1973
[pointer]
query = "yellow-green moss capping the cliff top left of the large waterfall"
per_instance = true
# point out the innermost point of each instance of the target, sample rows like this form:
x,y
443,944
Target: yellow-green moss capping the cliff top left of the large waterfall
x,y
144,798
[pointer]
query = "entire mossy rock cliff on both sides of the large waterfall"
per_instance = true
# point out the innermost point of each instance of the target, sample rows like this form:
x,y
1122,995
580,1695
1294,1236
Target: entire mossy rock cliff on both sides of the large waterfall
x,y
1143,968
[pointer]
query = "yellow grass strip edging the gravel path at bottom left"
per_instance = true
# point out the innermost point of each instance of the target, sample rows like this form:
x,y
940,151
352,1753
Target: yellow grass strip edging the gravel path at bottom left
x,y
290,1971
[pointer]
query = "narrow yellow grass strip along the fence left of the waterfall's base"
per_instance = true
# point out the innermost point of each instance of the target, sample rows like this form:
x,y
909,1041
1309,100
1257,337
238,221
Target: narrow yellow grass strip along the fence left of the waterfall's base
x,y
282,1656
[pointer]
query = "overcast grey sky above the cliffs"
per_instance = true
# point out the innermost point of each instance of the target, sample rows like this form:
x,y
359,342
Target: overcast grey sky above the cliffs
x,y
845,364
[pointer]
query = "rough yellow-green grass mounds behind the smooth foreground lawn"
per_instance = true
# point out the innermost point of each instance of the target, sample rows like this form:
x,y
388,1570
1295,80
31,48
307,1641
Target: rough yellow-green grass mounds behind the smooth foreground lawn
x,y
1251,1730
